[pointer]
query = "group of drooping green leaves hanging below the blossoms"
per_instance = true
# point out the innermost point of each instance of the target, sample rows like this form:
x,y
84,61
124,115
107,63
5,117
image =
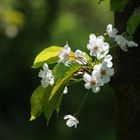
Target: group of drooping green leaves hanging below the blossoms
x,y
48,99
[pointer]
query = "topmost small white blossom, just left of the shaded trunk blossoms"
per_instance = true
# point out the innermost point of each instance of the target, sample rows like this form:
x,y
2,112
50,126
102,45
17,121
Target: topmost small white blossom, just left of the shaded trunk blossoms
x,y
111,31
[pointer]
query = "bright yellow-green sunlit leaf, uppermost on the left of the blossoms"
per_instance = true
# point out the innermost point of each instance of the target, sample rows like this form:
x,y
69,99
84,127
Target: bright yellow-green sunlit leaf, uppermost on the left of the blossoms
x,y
48,55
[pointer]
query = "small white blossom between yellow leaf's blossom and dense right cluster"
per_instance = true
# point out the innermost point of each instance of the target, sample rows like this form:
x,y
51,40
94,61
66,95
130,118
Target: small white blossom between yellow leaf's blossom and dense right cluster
x,y
81,57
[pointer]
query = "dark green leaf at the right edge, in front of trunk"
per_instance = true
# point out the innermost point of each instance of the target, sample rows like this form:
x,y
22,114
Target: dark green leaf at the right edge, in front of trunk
x,y
133,22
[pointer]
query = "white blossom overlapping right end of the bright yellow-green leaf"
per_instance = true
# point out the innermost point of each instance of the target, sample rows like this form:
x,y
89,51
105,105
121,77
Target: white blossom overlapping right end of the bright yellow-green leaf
x,y
64,54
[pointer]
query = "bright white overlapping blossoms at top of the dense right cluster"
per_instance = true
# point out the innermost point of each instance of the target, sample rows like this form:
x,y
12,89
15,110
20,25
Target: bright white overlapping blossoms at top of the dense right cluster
x,y
97,46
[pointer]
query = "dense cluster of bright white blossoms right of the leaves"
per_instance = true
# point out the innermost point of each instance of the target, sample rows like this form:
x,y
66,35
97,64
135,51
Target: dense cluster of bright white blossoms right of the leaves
x,y
102,70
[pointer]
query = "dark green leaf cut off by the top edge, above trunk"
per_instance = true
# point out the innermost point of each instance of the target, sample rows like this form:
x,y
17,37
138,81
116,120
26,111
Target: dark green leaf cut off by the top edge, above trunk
x,y
118,5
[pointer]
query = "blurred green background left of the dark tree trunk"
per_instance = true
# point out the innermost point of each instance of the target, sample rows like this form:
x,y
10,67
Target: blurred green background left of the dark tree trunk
x,y
26,28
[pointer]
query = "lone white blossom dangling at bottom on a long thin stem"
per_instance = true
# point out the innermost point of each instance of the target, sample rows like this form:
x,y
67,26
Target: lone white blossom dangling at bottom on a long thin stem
x,y
71,121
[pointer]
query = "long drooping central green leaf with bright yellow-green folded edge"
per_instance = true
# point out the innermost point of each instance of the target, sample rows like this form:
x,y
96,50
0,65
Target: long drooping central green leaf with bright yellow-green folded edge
x,y
53,95
